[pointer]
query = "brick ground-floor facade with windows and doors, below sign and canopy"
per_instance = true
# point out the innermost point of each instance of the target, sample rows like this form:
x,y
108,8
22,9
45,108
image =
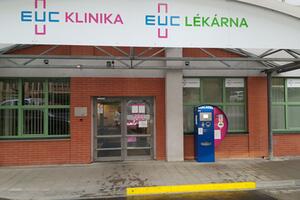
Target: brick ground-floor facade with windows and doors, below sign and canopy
x,y
78,115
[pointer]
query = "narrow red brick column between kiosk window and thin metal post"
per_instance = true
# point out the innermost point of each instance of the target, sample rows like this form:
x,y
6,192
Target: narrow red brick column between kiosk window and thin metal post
x,y
257,116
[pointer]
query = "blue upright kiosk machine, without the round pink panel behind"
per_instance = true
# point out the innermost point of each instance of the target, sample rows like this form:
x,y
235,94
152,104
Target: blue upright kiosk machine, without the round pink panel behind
x,y
204,134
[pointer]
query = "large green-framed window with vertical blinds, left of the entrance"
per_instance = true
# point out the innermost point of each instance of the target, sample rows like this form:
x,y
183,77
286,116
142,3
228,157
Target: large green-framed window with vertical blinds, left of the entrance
x,y
31,108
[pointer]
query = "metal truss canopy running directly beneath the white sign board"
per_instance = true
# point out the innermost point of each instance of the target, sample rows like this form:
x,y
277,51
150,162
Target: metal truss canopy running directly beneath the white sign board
x,y
263,60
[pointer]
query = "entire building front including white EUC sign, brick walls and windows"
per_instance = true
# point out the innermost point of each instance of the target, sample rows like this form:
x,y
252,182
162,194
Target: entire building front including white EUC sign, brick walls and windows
x,y
83,83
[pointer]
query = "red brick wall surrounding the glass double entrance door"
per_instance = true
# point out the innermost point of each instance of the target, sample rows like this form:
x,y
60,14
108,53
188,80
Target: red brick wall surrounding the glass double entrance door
x,y
84,89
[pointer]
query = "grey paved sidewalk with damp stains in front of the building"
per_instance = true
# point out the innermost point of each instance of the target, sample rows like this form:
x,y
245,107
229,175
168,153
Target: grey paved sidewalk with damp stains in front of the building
x,y
111,179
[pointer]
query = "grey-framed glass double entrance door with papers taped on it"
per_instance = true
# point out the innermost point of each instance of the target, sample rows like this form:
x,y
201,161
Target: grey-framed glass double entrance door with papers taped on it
x,y
124,129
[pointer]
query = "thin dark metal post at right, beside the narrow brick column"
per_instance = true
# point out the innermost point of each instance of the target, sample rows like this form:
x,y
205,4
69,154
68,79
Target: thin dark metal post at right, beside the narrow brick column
x,y
270,132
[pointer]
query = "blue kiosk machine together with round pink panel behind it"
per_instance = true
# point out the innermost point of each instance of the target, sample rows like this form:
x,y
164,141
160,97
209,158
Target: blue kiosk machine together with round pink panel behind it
x,y
211,126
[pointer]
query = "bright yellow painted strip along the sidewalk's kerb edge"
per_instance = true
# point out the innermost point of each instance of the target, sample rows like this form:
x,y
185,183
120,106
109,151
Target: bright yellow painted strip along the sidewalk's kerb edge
x,y
190,188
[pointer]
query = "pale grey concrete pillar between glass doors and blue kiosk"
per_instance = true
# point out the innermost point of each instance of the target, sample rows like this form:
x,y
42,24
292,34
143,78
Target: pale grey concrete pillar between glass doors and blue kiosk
x,y
174,112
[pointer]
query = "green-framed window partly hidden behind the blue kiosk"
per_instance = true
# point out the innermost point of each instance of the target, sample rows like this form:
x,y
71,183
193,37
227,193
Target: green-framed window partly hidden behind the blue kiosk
x,y
228,94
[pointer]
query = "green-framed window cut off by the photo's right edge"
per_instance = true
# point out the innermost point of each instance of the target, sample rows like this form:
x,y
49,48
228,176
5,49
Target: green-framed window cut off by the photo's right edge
x,y
285,104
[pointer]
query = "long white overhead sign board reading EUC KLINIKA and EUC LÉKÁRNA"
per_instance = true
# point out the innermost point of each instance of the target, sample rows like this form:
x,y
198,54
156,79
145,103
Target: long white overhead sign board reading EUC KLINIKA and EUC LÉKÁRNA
x,y
167,23
